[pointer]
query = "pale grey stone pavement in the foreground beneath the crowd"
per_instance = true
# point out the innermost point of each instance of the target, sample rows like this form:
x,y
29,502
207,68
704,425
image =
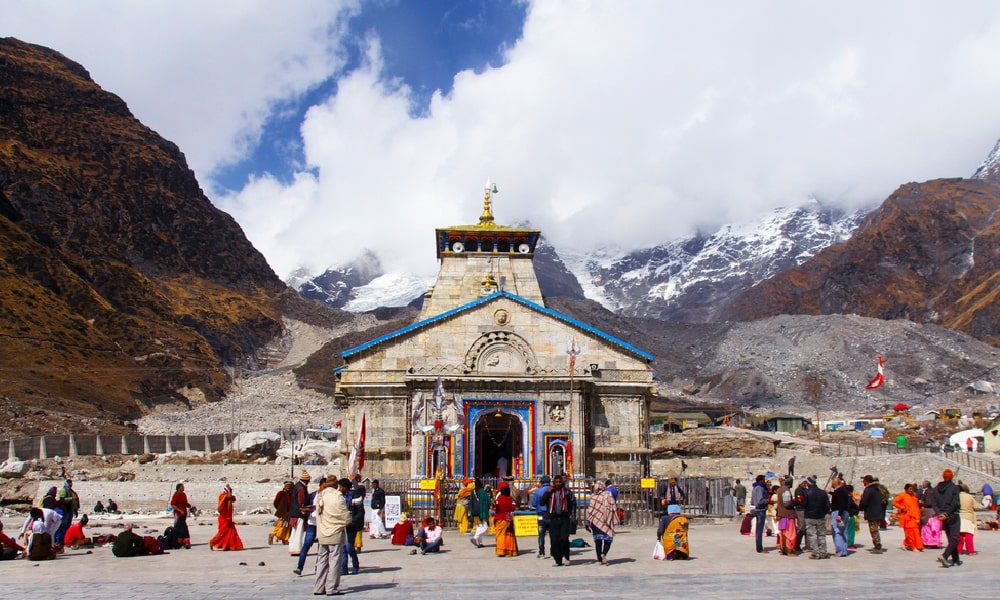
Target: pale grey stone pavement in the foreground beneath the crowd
x,y
723,564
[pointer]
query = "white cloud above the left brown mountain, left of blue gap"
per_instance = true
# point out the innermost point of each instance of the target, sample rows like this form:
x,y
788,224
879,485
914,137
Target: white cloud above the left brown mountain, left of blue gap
x,y
205,75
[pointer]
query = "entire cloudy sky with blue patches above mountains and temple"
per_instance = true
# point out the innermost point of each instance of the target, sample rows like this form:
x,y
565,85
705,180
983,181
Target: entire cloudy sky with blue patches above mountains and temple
x,y
325,127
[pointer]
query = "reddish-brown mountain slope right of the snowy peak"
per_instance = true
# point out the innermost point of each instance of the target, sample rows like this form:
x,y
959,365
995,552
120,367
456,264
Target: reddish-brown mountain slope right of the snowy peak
x,y
930,254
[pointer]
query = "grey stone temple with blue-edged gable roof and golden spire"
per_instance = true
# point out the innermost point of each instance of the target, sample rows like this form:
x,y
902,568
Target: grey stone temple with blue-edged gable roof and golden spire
x,y
488,381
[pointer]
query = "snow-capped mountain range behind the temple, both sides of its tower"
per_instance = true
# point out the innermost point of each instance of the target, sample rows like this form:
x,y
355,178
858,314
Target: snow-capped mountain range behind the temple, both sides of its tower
x,y
684,280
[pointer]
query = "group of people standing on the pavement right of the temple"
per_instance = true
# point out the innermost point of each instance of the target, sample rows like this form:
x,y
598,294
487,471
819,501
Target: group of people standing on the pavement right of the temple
x,y
801,516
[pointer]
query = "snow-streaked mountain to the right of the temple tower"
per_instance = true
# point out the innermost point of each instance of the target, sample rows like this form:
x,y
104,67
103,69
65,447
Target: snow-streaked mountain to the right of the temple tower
x,y
691,279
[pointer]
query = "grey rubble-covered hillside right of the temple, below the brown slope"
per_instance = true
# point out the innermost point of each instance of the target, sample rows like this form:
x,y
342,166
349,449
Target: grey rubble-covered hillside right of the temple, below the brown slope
x,y
767,364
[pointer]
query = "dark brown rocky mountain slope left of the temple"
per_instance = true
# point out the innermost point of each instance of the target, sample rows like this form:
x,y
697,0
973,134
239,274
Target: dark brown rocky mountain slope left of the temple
x,y
122,289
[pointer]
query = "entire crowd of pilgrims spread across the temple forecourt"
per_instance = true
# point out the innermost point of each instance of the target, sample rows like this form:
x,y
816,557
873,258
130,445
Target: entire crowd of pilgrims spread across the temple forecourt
x,y
332,517
